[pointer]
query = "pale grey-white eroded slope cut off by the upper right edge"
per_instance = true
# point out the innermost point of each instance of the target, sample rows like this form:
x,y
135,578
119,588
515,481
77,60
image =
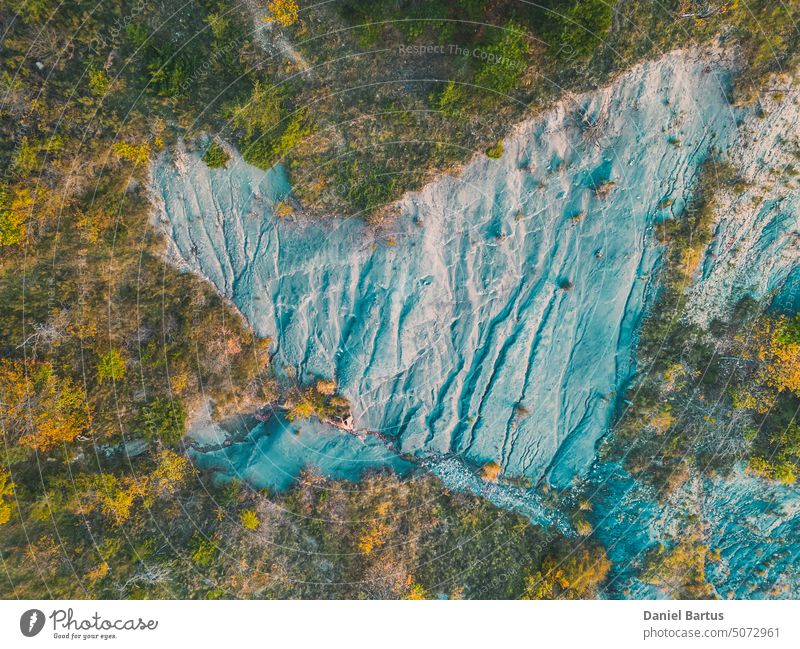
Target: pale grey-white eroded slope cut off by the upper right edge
x,y
756,246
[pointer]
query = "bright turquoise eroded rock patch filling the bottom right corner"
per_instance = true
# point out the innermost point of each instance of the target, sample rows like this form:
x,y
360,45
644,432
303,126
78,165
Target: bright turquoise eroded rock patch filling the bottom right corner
x,y
749,527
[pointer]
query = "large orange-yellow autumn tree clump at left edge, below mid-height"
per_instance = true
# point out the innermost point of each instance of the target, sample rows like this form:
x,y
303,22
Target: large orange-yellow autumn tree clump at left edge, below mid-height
x,y
39,410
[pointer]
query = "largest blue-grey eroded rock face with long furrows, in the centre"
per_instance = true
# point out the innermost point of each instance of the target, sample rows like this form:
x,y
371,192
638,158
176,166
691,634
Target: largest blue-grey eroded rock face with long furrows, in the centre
x,y
497,316
